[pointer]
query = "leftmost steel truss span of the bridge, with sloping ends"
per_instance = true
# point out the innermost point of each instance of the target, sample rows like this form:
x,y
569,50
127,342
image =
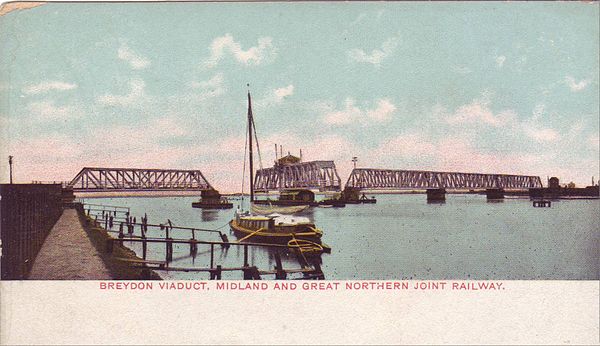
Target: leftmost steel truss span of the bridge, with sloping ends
x,y
127,179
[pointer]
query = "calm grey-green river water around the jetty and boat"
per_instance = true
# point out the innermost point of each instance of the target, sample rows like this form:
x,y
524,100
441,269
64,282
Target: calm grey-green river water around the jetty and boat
x,y
403,237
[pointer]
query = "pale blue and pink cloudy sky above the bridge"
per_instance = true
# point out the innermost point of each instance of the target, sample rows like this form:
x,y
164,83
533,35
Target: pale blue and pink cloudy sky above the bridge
x,y
478,87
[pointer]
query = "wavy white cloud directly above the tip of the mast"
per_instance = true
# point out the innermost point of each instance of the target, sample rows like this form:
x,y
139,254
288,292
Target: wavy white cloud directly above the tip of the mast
x,y
264,52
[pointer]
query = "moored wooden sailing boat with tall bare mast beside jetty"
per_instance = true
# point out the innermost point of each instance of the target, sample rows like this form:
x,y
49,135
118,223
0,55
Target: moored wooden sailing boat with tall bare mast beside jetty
x,y
296,231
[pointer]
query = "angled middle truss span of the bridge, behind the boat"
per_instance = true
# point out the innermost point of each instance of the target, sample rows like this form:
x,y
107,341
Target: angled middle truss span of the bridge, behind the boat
x,y
321,175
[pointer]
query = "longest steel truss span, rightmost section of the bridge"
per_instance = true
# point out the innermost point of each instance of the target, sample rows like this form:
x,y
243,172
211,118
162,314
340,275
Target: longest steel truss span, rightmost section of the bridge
x,y
388,179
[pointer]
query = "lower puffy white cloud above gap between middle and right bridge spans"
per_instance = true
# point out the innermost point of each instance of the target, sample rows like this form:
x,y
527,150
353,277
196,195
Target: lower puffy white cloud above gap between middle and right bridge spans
x,y
351,113
